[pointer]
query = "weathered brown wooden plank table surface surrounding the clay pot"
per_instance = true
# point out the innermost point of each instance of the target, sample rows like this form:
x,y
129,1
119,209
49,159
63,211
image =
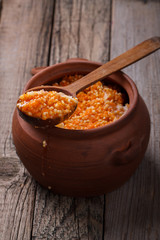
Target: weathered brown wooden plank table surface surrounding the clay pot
x,y
45,32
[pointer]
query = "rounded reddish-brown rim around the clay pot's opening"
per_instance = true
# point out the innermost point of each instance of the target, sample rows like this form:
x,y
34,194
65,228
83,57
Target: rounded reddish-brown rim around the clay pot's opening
x,y
133,97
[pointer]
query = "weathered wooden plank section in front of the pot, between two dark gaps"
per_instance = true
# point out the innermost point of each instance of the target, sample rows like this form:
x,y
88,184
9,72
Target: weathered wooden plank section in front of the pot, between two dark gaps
x,y
60,217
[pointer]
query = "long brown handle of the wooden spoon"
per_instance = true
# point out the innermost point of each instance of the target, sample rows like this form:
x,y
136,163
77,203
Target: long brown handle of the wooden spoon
x,y
132,55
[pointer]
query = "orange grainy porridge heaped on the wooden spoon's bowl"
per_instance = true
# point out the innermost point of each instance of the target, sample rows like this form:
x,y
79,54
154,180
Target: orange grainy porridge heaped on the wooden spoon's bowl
x,y
46,104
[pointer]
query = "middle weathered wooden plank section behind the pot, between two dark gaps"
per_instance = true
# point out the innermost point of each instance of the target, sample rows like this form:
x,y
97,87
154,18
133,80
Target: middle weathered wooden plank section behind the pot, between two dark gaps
x,y
81,30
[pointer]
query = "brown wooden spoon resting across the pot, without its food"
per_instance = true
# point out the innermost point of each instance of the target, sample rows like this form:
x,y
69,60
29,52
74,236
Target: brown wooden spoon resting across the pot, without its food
x,y
132,55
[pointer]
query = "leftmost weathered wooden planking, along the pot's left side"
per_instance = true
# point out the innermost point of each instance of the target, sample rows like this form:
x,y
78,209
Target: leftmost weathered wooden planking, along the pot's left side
x,y
25,29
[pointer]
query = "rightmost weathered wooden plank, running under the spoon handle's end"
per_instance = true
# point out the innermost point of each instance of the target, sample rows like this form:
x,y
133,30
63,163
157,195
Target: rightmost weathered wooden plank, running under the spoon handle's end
x,y
133,212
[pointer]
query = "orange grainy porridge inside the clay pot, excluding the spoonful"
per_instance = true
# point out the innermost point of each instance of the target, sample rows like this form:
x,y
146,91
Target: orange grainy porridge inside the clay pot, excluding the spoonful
x,y
98,105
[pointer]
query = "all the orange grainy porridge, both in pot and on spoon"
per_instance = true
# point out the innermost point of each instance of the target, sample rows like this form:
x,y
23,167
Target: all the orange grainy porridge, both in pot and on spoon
x,y
98,105
